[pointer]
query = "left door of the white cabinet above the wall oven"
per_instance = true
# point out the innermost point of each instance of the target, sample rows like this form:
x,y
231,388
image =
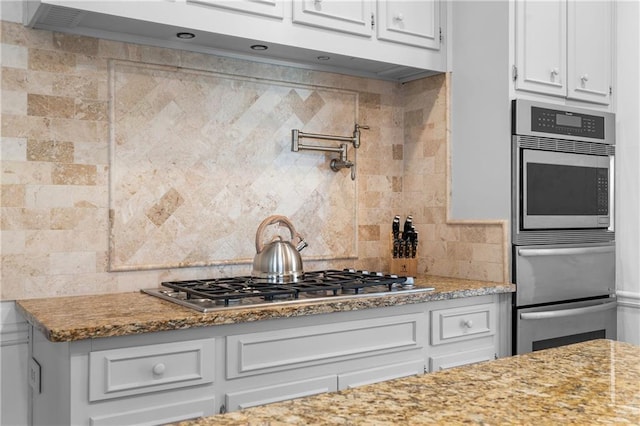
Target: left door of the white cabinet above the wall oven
x,y
541,46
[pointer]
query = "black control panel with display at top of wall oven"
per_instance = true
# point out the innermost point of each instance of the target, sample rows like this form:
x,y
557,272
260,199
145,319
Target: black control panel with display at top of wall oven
x,y
566,123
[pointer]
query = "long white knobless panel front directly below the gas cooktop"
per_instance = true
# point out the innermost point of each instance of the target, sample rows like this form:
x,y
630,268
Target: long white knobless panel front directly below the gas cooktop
x,y
271,351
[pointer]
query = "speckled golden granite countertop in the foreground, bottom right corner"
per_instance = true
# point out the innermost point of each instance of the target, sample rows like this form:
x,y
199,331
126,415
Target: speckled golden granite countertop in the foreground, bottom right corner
x,y
596,382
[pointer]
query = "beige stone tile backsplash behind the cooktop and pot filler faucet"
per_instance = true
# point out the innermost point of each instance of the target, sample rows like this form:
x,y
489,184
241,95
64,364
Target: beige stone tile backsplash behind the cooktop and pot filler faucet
x,y
60,171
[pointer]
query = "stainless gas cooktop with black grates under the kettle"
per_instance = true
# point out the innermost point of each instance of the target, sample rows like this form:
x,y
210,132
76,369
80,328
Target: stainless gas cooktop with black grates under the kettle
x,y
208,295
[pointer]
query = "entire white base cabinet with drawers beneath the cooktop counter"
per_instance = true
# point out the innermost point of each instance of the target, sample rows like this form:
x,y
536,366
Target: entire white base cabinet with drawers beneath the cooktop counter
x,y
175,375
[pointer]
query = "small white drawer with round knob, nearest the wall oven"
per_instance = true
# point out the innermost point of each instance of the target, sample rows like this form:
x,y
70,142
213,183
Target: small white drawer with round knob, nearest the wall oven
x,y
467,322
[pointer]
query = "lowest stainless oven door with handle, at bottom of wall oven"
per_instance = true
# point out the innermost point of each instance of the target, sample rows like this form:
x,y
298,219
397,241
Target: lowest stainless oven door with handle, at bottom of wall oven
x,y
550,326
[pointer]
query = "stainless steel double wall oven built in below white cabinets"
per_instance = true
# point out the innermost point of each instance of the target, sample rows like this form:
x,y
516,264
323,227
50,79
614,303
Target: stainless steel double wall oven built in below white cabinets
x,y
563,240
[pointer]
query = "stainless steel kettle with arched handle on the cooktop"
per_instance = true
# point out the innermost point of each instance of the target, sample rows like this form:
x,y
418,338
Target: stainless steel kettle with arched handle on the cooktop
x,y
278,261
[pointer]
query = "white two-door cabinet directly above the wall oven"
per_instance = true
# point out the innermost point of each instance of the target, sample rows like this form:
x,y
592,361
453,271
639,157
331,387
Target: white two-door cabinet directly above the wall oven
x,y
564,48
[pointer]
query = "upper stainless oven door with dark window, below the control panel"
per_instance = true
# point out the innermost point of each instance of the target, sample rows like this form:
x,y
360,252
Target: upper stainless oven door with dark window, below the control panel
x,y
562,190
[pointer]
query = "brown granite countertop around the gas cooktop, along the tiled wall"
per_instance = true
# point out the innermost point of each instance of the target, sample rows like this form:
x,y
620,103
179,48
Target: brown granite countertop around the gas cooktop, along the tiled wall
x,y
65,319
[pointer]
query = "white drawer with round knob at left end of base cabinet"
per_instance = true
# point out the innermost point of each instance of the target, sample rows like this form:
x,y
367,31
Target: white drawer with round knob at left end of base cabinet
x,y
136,370
